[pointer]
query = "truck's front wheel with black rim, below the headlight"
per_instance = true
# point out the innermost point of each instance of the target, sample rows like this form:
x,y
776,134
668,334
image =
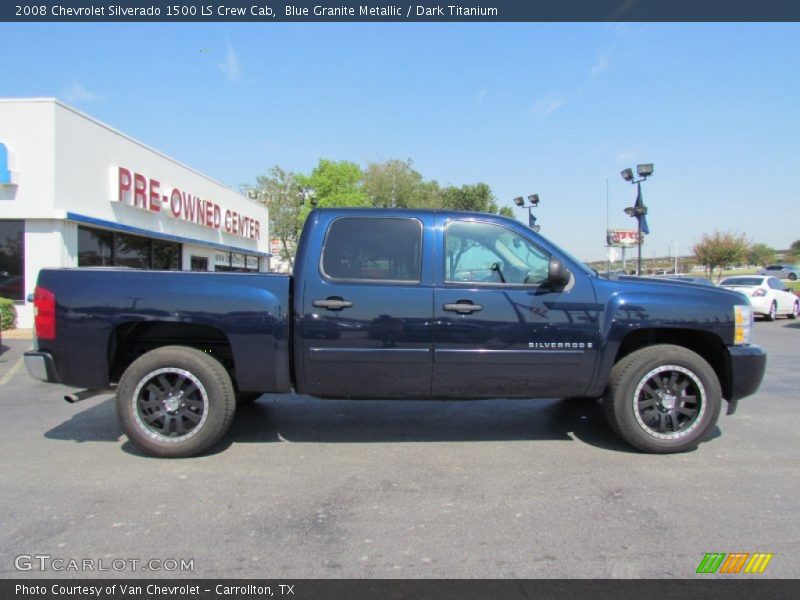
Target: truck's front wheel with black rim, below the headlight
x,y
675,415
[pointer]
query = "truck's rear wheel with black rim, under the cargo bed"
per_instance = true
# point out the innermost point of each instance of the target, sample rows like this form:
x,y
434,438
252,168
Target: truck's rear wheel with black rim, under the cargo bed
x,y
175,402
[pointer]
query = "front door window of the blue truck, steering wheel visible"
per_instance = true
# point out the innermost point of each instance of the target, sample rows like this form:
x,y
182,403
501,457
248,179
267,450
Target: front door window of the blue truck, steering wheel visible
x,y
486,253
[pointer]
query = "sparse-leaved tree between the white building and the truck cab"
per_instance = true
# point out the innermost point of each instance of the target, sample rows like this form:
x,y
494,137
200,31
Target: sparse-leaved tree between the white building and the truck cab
x,y
283,195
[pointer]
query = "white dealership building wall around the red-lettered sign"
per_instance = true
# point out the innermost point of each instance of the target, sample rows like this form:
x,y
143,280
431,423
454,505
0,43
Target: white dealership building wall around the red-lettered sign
x,y
67,169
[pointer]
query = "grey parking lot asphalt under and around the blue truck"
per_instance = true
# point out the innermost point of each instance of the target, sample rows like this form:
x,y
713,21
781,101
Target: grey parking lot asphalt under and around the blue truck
x,y
303,488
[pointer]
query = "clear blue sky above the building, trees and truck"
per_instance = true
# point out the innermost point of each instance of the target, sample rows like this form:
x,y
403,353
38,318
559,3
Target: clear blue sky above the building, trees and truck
x,y
549,108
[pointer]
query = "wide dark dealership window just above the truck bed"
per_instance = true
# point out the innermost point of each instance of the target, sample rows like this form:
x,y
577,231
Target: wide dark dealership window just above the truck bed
x,y
102,248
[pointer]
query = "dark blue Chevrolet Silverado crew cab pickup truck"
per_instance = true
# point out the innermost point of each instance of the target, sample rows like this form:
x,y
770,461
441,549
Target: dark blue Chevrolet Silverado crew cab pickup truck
x,y
397,304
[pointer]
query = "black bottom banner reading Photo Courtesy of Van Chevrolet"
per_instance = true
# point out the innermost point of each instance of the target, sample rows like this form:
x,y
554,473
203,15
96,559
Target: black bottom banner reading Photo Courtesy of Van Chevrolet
x,y
401,589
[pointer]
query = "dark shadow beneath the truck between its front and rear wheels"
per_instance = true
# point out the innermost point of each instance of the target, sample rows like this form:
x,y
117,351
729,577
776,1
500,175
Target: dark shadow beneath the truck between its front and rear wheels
x,y
305,419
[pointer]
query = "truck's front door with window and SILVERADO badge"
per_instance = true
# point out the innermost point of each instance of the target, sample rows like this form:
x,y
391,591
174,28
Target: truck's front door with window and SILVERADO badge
x,y
500,329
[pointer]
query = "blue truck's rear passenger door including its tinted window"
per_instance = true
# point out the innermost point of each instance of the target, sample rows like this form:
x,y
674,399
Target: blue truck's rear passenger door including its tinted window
x,y
365,328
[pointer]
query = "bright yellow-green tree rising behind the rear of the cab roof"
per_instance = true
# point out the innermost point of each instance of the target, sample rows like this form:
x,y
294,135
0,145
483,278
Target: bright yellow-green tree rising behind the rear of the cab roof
x,y
336,184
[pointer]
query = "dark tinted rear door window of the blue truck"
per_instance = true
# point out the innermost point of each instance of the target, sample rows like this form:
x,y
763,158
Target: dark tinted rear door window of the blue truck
x,y
373,249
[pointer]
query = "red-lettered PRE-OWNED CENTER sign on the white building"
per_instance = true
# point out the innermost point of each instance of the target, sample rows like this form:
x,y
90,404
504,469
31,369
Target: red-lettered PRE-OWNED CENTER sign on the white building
x,y
146,193
